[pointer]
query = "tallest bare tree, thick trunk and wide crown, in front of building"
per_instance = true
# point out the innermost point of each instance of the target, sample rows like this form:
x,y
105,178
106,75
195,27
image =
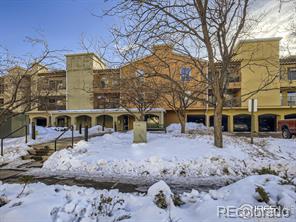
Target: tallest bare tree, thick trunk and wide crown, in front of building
x,y
199,29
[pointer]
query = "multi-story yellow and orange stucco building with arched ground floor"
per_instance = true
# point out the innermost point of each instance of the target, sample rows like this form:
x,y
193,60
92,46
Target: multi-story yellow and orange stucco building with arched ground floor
x,y
88,93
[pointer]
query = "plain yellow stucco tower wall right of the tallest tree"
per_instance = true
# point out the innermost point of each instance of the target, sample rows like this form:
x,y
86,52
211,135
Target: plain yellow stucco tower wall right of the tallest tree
x,y
260,64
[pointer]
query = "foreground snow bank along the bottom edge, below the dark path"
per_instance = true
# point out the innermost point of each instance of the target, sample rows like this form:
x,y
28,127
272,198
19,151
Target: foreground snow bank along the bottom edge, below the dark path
x,y
57,203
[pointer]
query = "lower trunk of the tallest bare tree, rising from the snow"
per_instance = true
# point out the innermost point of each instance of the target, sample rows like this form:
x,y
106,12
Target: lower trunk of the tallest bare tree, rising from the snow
x,y
218,139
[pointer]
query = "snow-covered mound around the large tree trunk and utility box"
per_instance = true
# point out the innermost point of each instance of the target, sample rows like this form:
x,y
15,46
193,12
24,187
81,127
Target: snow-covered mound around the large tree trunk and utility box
x,y
172,156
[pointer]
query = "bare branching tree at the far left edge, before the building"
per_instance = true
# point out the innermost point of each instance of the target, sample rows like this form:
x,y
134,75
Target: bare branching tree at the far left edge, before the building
x,y
19,90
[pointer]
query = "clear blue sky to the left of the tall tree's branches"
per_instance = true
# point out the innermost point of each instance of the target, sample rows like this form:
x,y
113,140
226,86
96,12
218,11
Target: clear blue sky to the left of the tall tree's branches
x,y
60,22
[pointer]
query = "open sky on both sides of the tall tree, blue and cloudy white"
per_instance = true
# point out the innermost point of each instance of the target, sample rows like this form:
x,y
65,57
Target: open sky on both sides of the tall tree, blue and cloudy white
x,y
62,23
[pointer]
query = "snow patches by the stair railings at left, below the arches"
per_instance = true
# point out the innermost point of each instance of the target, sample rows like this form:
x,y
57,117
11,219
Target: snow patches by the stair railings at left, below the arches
x,y
16,147
